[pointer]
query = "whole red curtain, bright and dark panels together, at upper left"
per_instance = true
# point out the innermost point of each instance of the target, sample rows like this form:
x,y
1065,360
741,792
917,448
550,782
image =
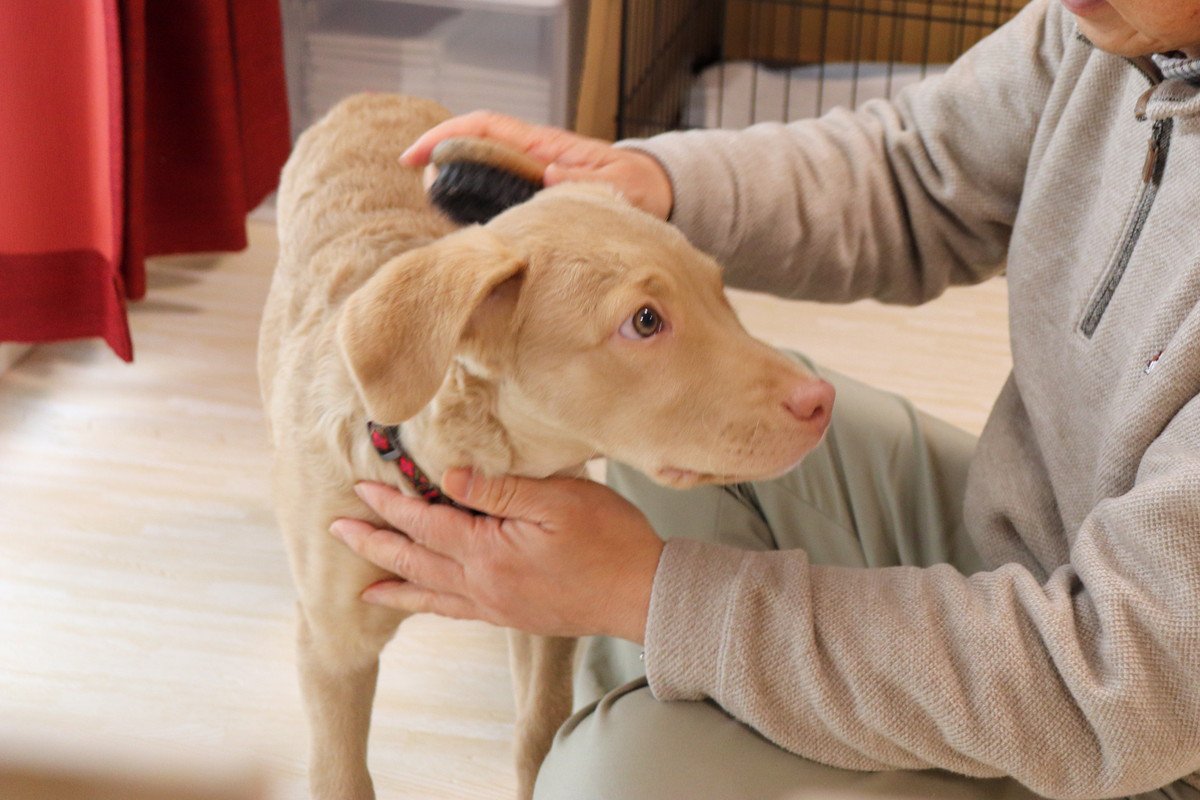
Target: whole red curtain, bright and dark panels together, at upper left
x,y
128,129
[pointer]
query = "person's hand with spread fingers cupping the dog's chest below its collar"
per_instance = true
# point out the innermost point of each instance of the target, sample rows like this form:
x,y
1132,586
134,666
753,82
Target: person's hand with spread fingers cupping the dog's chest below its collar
x,y
556,557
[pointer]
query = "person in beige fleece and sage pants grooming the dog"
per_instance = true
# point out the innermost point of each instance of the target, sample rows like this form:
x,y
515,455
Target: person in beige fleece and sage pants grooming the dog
x,y
911,613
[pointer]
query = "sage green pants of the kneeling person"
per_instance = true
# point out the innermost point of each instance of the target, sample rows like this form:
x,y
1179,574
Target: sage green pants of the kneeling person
x,y
884,489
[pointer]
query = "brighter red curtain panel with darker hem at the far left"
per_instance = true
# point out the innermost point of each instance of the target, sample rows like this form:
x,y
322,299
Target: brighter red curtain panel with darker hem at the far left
x,y
59,155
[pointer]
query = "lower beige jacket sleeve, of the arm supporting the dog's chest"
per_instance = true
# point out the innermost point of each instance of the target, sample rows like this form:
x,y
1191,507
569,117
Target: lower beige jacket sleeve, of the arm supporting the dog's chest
x,y
1082,684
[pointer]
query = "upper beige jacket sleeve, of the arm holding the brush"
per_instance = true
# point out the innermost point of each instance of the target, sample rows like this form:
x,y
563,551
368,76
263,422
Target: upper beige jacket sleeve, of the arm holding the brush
x,y
896,201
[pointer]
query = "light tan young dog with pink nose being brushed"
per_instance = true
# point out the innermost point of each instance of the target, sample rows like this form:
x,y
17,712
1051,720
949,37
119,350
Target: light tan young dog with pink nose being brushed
x,y
568,328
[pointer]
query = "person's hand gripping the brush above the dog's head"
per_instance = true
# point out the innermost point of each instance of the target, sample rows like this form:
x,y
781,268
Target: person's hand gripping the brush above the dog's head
x,y
569,157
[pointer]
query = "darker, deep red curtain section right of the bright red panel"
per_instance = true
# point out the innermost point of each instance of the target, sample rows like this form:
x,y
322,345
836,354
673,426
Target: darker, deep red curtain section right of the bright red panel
x,y
217,124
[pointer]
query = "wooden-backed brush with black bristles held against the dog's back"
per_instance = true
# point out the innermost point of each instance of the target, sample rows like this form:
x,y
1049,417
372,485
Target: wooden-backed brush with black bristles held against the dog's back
x,y
479,178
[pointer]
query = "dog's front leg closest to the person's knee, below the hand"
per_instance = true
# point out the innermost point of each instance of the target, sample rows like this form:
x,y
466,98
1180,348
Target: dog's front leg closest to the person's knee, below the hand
x,y
542,679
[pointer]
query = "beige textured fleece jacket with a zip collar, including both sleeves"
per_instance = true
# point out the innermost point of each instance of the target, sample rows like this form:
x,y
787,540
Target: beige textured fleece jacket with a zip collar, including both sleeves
x,y
1073,664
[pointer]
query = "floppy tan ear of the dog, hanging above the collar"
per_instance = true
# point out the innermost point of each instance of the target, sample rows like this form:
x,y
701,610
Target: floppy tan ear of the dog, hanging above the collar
x,y
399,332
